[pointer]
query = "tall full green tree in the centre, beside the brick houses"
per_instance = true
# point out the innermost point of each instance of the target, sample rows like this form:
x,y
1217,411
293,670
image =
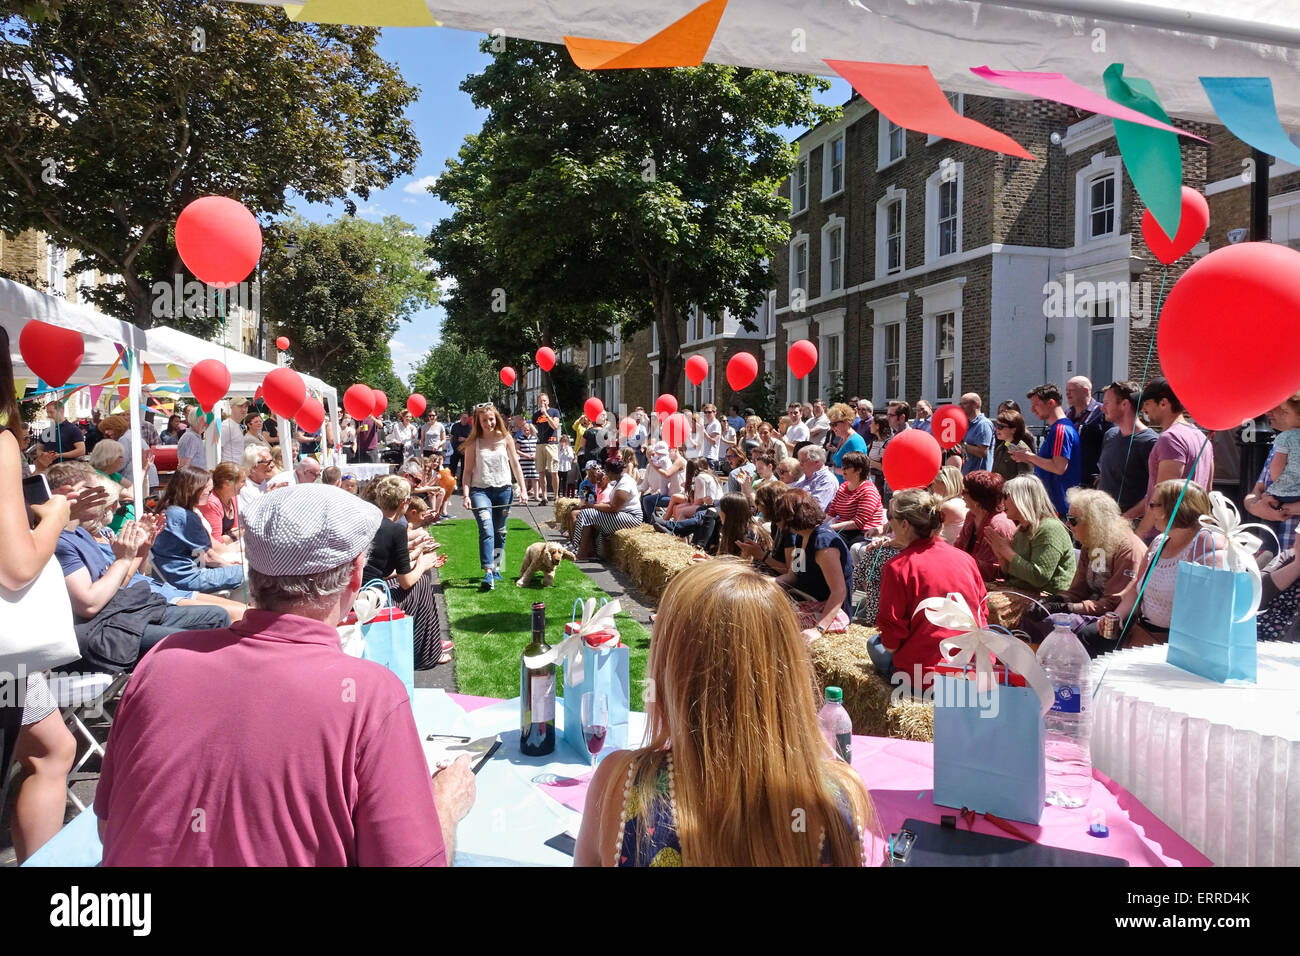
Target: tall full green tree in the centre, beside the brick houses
x,y
622,197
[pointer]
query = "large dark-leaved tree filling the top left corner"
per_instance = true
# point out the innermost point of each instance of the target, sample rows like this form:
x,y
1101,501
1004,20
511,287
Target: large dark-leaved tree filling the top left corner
x,y
115,115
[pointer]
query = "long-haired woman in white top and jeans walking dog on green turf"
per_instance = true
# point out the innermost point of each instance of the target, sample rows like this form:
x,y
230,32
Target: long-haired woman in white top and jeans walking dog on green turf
x,y
492,464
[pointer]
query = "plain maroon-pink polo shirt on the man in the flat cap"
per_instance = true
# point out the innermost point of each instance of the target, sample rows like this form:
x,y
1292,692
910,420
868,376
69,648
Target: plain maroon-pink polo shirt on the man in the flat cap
x,y
266,745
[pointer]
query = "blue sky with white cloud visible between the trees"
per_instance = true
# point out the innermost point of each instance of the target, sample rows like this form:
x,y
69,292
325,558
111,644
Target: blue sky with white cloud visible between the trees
x,y
436,60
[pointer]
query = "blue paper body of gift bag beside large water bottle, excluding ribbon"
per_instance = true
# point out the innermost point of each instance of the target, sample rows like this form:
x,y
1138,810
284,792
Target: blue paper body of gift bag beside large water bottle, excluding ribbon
x,y
989,750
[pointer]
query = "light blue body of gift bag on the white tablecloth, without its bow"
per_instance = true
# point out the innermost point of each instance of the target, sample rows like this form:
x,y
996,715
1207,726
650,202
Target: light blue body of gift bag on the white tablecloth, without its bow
x,y
1207,635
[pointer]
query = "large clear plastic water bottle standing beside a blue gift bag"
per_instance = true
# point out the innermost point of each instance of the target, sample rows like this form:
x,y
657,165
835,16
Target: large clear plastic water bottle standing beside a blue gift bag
x,y
1069,723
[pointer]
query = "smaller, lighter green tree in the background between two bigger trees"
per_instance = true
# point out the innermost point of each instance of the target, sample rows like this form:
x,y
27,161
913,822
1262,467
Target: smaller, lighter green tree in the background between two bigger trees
x,y
341,291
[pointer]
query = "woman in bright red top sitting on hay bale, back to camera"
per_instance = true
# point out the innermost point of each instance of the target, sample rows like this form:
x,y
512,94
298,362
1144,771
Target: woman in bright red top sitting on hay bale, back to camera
x,y
928,568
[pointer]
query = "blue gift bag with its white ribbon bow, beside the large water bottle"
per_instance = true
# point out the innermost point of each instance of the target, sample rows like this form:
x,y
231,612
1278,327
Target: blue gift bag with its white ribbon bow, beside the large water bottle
x,y
989,737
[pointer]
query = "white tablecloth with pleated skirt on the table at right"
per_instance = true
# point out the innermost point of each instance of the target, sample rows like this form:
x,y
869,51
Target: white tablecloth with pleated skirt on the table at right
x,y
1219,763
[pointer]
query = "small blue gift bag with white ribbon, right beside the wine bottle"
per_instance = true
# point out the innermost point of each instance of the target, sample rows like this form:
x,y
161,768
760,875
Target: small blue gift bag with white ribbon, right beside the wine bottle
x,y
603,669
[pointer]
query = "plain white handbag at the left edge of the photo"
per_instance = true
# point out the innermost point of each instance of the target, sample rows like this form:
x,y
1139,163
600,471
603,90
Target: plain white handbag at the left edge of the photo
x,y
37,625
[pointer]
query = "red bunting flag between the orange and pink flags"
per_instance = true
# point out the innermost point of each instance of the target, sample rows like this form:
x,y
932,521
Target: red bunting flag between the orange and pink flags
x,y
909,97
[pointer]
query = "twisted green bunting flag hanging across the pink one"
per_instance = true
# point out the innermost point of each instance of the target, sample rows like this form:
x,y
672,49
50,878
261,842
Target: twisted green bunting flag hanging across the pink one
x,y
1152,157
